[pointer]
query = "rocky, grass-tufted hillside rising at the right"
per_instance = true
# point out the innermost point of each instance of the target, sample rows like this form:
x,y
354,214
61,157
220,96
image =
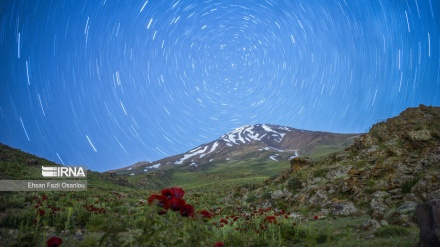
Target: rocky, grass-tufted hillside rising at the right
x,y
383,175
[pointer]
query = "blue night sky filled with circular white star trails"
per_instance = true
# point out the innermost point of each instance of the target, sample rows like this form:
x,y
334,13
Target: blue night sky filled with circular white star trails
x,y
108,83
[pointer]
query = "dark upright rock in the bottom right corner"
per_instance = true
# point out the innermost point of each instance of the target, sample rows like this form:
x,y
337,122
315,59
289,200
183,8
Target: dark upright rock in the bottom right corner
x,y
428,219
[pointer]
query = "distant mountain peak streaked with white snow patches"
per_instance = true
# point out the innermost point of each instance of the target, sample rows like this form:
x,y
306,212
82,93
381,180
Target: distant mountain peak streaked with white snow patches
x,y
274,142
